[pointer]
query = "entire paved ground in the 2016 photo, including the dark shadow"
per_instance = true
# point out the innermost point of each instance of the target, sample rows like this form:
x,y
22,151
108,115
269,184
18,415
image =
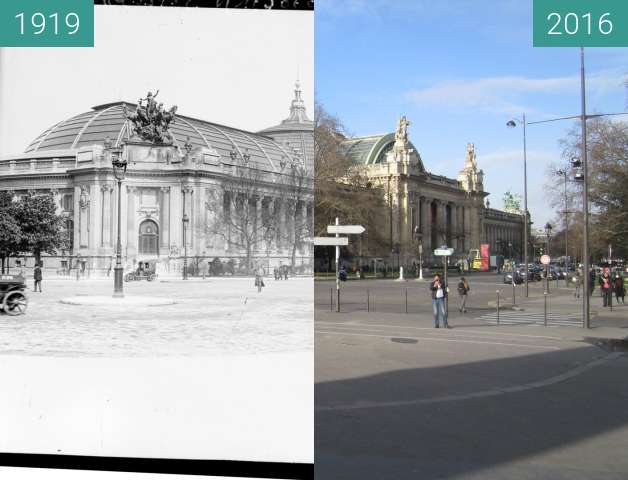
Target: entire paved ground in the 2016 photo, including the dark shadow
x,y
396,398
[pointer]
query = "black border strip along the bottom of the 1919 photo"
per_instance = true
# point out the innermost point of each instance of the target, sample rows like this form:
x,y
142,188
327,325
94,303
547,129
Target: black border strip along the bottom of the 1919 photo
x,y
224,468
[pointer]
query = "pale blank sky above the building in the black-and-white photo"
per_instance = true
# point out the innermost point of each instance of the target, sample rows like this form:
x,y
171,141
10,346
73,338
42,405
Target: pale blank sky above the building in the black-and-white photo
x,y
228,66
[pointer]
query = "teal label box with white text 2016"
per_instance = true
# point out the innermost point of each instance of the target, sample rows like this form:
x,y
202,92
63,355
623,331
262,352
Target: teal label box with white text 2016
x,y
580,23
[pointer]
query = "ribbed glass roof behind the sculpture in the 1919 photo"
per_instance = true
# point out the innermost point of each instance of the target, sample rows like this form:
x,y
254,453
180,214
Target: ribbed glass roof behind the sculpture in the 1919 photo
x,y
108,120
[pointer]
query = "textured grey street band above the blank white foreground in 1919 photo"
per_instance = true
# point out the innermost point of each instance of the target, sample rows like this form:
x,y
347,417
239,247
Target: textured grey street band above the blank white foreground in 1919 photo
x,y
210,317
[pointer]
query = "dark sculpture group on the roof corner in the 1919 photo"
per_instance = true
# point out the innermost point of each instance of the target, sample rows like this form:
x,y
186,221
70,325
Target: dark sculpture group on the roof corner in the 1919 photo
x,y
151,121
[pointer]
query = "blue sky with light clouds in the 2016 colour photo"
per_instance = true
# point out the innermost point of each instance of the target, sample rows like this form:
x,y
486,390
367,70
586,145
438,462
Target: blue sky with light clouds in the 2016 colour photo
x,y
459,70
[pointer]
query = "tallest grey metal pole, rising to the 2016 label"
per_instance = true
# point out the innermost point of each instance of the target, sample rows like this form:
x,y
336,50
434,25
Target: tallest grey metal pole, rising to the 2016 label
x,y
585,196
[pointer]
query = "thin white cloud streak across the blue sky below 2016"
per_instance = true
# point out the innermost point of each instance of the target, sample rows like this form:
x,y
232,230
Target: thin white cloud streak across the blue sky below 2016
x,y
506,94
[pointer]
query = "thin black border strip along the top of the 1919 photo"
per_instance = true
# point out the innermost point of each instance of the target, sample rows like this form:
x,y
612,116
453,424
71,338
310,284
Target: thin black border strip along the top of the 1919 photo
x,y
249,4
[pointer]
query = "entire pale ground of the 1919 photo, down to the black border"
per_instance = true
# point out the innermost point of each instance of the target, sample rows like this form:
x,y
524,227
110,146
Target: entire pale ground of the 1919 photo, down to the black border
x,y
226,373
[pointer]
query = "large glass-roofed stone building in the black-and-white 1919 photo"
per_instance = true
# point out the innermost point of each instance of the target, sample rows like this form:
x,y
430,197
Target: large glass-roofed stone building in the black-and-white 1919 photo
x,y
166,181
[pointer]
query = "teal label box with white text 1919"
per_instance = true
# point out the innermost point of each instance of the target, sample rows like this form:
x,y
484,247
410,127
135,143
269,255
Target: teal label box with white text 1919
x,y
46,23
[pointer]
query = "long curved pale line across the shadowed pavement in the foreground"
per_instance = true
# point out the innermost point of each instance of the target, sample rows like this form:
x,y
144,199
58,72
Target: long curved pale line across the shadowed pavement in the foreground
x,y
480,394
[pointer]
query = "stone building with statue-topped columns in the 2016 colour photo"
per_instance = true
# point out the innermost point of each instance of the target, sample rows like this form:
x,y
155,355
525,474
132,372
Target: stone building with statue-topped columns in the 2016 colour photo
x,y
432,210
